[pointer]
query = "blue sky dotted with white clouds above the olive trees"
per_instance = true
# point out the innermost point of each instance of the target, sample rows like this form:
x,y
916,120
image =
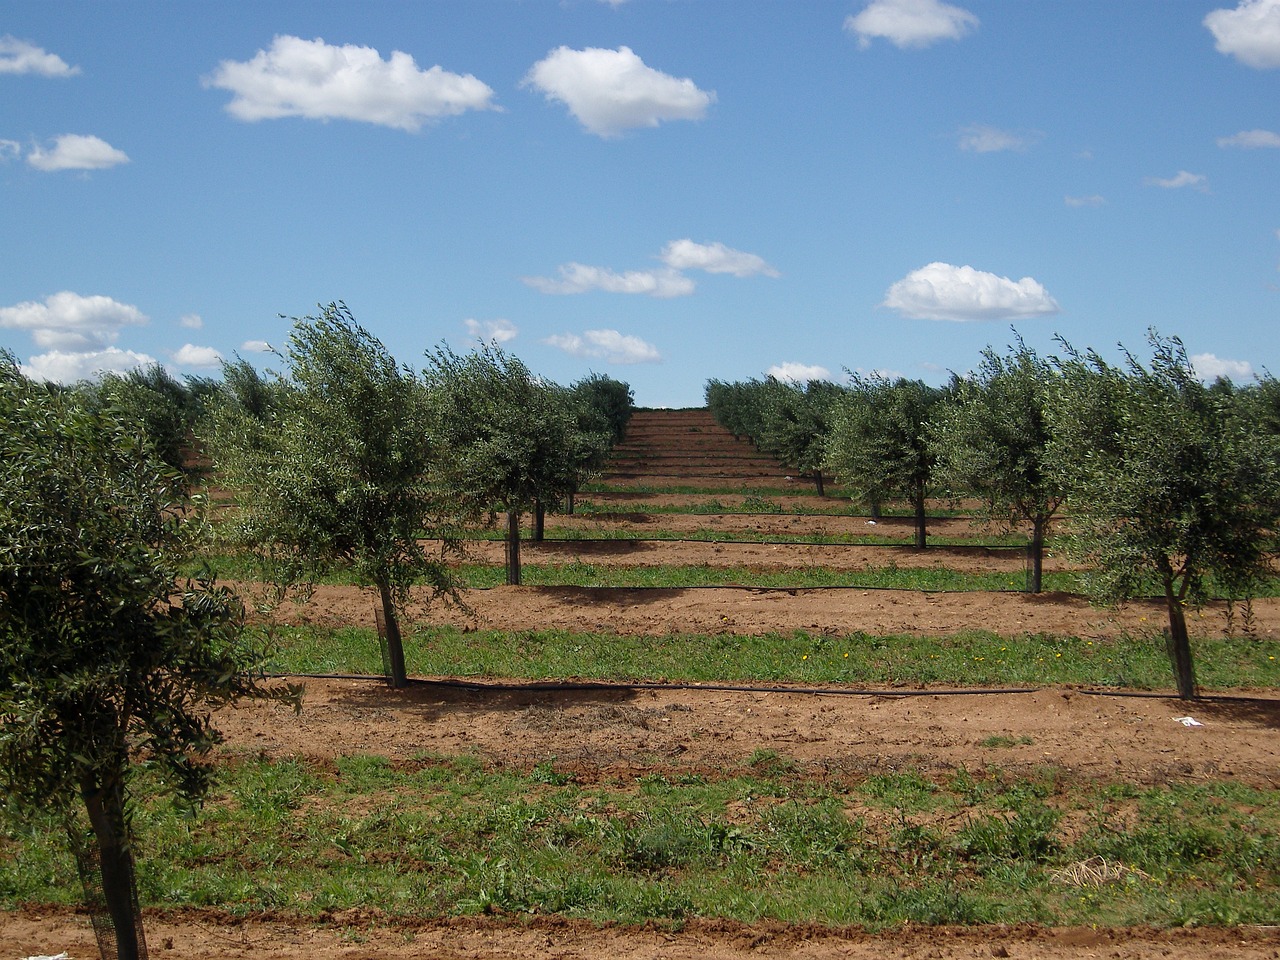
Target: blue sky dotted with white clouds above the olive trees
x,y
662,191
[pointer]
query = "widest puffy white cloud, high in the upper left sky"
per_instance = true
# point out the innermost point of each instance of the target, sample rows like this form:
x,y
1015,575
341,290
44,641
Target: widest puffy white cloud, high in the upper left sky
x,y
319,81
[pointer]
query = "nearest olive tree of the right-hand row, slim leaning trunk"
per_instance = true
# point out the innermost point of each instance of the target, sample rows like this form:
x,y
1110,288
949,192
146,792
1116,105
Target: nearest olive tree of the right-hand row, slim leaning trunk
x,y
1169,484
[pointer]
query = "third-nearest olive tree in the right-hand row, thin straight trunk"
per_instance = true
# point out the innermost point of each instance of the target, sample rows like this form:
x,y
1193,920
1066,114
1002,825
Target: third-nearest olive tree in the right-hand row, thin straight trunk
x,y
879,442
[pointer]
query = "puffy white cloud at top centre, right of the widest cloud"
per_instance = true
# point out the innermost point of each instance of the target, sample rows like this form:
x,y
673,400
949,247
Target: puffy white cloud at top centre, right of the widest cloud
x,y
611,92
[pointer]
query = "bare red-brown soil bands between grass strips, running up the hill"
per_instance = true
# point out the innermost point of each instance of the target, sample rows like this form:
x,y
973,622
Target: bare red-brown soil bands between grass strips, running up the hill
x,y
598,732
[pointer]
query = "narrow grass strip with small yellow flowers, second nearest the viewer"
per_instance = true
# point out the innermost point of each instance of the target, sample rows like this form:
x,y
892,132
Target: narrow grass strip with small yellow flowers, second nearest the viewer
x,y
967,660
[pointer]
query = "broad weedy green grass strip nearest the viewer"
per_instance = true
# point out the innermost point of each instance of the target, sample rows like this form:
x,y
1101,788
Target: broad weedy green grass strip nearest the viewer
x,y
767,840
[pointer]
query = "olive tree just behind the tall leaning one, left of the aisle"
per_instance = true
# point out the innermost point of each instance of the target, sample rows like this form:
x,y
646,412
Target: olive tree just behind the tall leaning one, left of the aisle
x,y
514,440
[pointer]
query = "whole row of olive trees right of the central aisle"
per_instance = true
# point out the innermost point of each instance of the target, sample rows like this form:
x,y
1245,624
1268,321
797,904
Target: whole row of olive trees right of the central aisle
x,y
1167,484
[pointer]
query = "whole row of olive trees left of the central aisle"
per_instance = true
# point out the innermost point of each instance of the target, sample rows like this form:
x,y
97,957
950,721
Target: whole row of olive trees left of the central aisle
x,y
111,655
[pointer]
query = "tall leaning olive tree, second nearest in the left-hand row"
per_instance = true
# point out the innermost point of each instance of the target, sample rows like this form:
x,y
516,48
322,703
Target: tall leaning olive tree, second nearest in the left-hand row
x,y
332,469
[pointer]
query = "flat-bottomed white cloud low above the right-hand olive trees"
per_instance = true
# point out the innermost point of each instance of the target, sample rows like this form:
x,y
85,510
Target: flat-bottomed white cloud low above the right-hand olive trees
x,y
945,292
